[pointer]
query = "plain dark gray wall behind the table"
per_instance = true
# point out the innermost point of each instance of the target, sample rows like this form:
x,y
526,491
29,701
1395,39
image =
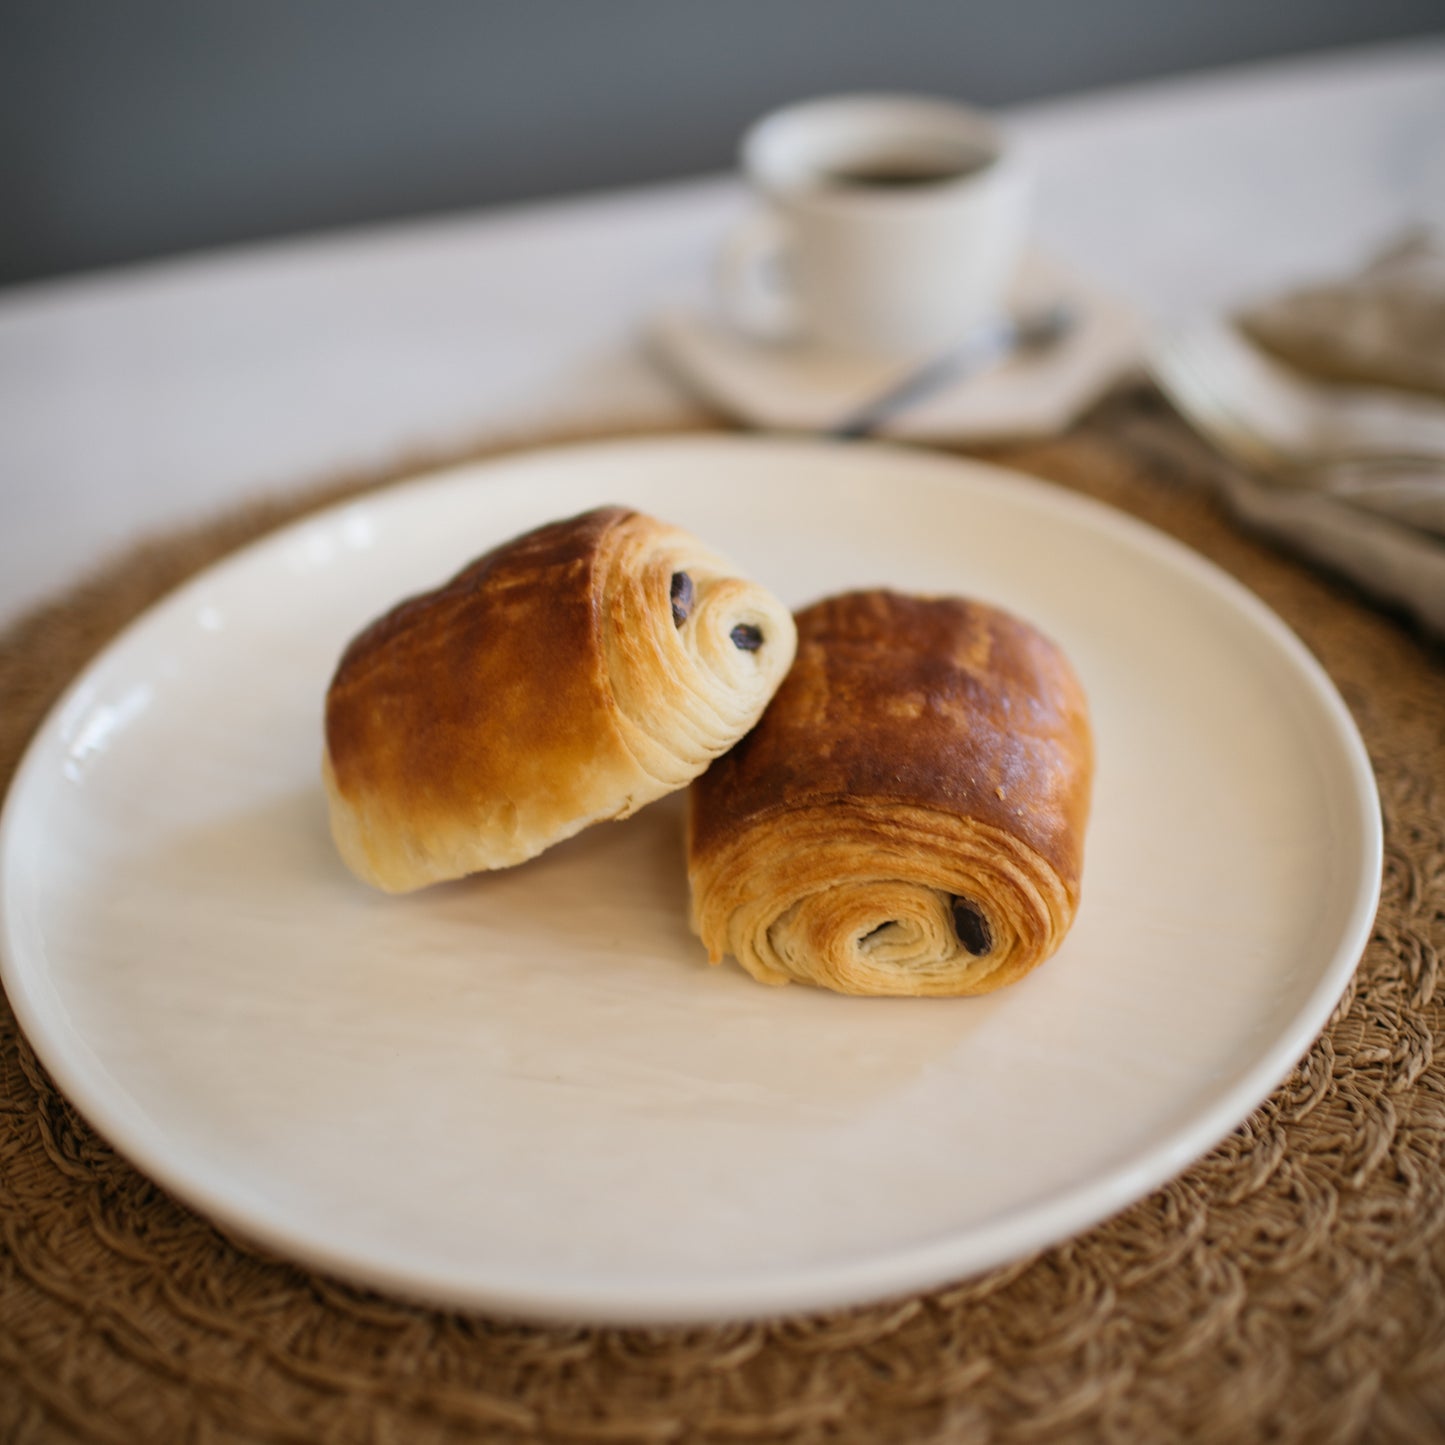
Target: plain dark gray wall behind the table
x,y
147,128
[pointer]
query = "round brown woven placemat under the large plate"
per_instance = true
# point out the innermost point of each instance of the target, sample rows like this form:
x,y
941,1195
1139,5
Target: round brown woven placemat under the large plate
x,y
1290,1287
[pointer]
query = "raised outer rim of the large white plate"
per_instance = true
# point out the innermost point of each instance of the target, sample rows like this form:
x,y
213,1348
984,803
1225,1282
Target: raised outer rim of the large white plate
x,y
819,1285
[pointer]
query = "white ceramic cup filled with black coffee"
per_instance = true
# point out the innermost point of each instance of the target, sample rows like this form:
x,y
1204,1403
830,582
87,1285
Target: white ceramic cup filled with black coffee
x,y
889,225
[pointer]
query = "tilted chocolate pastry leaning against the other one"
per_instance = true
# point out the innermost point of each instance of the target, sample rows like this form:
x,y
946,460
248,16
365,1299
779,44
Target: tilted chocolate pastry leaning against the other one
x,y
570,676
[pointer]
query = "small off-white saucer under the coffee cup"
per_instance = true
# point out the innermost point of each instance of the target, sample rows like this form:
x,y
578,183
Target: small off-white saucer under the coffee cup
x,y
791,387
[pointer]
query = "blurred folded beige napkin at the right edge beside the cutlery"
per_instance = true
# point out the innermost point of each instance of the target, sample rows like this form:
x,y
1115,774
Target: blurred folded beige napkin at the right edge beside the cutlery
x,y
1381,329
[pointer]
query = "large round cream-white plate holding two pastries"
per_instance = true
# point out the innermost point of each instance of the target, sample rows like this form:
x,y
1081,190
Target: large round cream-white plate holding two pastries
x,y
528,1092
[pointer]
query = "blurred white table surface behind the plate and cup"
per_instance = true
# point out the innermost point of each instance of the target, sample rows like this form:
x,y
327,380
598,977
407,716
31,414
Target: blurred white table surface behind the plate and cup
x,y
148,397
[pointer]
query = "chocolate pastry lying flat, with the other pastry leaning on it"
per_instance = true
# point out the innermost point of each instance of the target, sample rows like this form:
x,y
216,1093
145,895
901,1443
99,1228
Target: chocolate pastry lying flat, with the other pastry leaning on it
x,y
908,819
